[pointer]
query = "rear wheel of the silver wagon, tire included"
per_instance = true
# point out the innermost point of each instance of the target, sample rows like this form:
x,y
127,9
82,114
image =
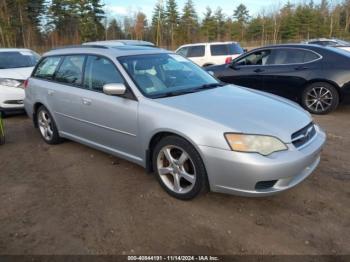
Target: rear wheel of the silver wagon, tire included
x,y
47,126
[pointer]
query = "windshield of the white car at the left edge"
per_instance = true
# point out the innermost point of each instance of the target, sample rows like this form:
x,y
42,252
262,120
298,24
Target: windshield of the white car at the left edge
x,y
17,59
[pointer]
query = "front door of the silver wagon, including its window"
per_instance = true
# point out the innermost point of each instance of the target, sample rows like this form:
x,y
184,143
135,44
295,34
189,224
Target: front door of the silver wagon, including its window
x,y
110,122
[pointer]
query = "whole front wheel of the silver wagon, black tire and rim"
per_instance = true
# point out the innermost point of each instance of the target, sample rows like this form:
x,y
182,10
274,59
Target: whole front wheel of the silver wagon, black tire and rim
x,y
179,168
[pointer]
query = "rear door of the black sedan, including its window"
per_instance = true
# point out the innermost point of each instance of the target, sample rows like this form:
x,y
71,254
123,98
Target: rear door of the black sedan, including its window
x,y
288,70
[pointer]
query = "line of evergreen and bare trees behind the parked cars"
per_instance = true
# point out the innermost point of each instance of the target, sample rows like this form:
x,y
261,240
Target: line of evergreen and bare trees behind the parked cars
x,y
43,24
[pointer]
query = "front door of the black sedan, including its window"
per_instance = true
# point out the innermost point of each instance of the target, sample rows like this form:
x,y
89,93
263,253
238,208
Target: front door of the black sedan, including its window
x,y
247,71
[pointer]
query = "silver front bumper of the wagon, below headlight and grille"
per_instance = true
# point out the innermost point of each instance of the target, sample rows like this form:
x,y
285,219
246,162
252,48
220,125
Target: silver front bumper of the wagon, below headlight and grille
x,y
241,173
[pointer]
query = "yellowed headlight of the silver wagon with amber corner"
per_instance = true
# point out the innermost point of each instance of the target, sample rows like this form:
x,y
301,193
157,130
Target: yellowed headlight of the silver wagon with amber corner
x,y
264,145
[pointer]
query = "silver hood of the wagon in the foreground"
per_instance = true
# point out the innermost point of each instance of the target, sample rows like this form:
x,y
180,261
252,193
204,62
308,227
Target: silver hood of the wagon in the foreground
x,y
244,110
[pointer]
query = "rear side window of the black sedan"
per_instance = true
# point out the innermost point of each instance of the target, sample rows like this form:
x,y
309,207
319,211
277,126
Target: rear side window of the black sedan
x,y
287,56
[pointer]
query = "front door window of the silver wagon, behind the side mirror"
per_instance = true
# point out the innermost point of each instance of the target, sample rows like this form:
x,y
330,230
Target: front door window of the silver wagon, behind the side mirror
x,y
100,71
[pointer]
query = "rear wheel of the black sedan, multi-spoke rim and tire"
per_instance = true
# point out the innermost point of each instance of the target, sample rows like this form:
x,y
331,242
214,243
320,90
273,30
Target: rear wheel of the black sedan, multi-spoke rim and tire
x,y
320,98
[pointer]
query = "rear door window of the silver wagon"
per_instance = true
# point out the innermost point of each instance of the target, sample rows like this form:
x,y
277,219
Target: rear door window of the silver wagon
x,y
71,70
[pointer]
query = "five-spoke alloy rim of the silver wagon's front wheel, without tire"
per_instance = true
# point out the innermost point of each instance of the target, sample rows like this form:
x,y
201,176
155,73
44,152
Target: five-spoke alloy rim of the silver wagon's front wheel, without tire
x,y
176,169
